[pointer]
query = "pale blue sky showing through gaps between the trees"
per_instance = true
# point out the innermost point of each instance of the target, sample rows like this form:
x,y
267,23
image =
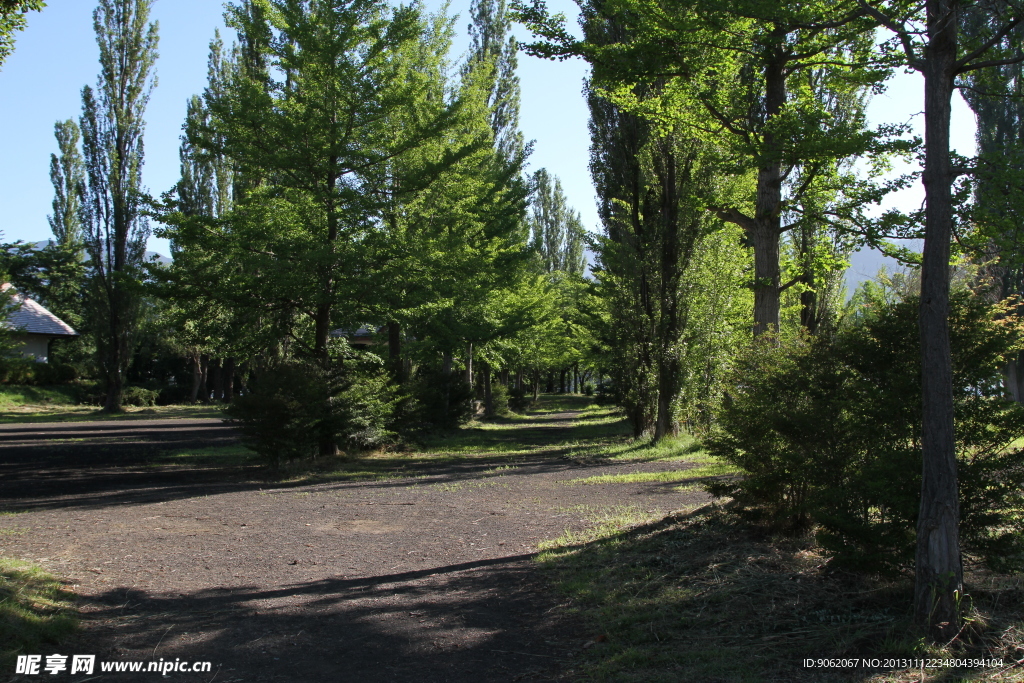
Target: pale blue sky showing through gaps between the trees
x,y
57,56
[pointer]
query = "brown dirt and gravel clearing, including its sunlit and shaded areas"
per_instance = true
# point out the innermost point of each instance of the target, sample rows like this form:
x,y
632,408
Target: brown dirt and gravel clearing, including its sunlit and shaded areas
x,y
425,578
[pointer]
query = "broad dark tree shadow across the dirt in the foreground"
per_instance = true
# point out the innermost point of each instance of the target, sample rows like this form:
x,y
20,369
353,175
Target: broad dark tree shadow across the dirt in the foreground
x,y
486,621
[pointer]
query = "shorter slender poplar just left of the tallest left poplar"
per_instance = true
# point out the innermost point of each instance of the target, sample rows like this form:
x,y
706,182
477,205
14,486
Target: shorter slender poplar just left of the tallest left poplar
x,y
68,177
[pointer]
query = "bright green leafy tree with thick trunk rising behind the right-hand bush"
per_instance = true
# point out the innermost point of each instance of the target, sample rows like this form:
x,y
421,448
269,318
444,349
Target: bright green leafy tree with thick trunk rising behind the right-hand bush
x,y
739,72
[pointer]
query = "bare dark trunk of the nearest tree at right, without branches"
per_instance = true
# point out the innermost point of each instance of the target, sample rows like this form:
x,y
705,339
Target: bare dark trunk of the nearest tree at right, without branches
x,y
940,572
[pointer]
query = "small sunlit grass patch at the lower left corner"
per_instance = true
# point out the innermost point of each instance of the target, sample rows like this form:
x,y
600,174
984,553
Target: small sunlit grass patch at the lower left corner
x,y
36,612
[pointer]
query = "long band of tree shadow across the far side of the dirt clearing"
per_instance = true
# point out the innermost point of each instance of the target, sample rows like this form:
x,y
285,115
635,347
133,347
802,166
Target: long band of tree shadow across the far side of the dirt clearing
x,y
87,472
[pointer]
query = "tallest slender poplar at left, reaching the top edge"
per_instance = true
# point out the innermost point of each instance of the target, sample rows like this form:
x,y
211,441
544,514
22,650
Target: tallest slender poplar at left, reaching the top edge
x,y
115,230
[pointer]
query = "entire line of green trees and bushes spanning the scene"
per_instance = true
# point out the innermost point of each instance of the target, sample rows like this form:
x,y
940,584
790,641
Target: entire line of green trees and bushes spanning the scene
x,y
359,249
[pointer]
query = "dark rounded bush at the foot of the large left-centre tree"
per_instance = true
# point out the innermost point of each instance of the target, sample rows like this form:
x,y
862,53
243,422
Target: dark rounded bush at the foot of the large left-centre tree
x,y
293,407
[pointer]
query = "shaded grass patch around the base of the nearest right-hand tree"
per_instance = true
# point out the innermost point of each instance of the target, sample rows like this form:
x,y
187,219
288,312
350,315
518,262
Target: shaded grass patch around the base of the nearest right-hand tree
x,y
701,597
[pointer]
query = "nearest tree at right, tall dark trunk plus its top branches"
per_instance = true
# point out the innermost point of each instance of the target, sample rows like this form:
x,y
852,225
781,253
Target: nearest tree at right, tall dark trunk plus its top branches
x,y
928,37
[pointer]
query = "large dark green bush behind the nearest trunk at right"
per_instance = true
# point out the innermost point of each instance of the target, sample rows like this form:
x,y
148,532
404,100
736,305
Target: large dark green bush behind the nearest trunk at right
x,y
829,434
